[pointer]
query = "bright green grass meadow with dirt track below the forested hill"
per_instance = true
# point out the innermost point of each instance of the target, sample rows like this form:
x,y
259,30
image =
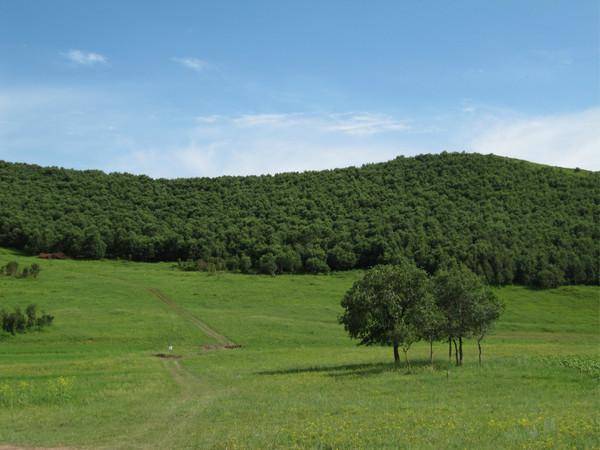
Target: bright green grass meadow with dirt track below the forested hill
x,y
92,379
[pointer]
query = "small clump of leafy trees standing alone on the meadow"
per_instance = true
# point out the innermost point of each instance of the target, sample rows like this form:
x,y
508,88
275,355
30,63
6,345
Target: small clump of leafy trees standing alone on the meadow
x,y
398,305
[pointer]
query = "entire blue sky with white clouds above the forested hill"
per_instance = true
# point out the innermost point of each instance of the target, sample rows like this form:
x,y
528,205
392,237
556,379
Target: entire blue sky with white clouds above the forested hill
x,y
210,88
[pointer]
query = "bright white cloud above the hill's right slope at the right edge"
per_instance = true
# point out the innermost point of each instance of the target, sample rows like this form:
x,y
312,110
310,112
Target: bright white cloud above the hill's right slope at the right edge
x,y
568,140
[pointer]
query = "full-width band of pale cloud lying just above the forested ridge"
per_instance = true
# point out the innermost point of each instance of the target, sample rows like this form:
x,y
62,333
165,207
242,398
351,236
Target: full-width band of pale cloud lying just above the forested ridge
x,y
98,129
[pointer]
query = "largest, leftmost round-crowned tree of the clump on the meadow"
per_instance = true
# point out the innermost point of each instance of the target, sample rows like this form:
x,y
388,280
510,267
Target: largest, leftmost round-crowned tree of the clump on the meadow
x,y
381,307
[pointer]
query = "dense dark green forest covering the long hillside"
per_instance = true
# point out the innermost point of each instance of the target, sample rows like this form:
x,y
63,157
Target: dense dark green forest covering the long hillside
x,y
508,220
